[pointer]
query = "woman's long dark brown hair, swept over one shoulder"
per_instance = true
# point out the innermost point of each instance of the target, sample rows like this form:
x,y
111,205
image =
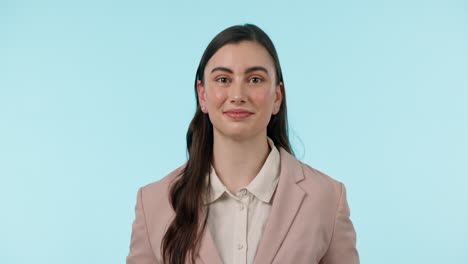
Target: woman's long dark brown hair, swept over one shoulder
x,y
186,193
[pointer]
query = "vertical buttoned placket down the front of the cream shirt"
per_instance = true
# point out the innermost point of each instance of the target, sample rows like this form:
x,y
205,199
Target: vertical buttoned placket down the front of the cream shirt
x,y
240,237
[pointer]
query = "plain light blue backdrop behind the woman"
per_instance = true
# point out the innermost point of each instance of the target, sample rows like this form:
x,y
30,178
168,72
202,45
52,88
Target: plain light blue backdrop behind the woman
x,y
96,98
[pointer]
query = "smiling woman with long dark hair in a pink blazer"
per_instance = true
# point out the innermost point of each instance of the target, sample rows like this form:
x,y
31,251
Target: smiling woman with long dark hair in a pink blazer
x,y
242,197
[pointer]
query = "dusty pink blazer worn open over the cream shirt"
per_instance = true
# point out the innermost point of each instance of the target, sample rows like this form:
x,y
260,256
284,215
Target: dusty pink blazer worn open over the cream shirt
x,y
309,221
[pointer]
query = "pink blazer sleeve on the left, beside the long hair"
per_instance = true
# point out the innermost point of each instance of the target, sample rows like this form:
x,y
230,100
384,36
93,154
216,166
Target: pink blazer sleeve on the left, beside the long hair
x,y
140,246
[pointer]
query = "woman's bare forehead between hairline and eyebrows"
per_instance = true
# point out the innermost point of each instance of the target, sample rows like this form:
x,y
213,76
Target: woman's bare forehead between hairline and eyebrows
x,y
238,56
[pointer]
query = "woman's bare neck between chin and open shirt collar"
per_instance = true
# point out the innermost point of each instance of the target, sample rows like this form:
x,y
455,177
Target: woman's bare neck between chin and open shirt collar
x,y
238,161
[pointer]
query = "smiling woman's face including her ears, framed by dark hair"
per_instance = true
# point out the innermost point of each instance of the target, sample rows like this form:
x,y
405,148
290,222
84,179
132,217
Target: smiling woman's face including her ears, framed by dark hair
x,y
240,77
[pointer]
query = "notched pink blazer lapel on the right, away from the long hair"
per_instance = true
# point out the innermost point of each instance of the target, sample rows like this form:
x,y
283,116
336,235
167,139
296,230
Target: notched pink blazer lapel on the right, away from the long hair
x,y
286,202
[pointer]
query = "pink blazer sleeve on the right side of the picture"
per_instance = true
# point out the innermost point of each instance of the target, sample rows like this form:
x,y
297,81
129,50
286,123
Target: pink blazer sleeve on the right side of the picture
x,y
342,248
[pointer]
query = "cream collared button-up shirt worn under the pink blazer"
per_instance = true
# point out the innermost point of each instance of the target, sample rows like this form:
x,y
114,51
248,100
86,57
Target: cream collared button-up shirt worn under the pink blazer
x,y
236,222
